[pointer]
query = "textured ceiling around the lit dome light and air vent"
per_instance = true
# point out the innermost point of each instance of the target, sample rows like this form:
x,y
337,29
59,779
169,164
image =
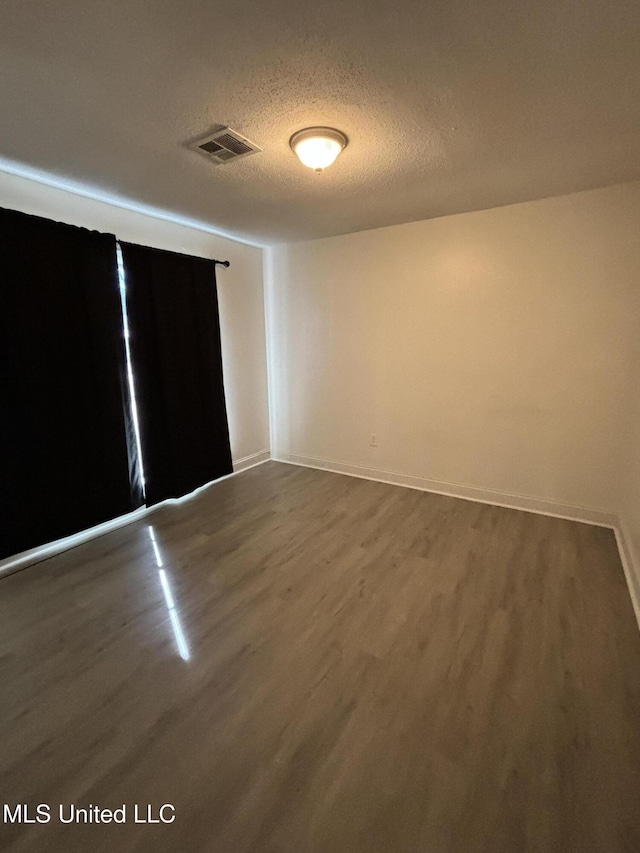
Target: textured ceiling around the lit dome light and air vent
x,y
449,105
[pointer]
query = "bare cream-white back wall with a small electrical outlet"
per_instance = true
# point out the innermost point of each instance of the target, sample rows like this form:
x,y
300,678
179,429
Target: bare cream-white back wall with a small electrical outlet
x,y
492,350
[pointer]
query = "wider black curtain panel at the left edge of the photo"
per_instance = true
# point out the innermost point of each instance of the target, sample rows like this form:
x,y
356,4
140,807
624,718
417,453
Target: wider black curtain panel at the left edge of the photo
x,y
63,452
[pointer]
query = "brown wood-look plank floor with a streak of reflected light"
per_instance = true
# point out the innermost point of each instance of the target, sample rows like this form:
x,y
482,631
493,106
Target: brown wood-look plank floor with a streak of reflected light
x,y
305,662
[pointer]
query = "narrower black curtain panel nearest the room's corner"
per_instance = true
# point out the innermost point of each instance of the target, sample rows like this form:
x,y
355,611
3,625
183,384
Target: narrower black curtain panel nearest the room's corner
x,y
172,308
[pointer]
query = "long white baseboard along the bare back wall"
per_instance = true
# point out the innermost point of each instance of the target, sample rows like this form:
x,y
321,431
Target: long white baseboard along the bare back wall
x,y
598,517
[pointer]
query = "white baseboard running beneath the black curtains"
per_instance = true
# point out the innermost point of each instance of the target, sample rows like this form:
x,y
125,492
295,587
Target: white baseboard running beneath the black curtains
x,y
43,552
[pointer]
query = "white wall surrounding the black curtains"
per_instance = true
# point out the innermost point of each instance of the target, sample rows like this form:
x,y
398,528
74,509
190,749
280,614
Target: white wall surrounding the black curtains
x,y
240,292
